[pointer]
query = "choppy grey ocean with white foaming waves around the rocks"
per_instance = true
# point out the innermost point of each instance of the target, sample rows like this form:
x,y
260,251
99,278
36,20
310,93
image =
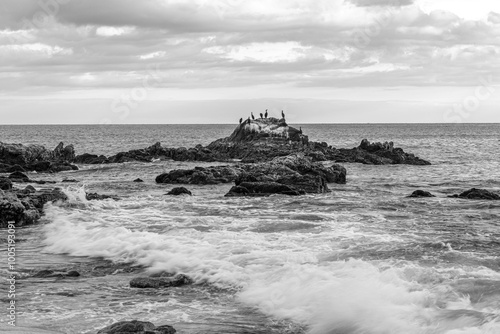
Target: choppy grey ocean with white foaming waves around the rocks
x,y
363,259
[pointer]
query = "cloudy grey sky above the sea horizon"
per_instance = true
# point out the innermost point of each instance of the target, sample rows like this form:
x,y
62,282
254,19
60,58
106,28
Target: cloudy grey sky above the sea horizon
x,y
214,61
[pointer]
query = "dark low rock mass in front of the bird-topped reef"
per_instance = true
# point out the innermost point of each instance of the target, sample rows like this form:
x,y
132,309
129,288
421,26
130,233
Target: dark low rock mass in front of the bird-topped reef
x,y
294,174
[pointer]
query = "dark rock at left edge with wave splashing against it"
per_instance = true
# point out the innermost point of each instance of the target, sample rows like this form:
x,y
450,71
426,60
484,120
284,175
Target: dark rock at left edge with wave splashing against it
x,y
25,207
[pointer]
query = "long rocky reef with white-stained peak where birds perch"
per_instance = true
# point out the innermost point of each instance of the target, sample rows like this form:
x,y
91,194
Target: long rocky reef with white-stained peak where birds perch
x,y
260,140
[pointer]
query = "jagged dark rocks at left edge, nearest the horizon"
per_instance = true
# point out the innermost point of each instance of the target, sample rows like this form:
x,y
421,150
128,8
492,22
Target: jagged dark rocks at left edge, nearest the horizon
x,y
17,157
